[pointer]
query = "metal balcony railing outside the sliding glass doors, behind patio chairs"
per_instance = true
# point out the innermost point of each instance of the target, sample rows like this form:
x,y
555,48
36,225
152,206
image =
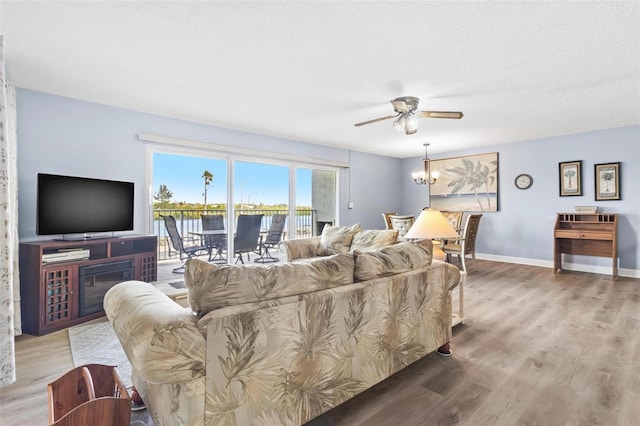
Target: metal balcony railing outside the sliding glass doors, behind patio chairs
x,y
190,221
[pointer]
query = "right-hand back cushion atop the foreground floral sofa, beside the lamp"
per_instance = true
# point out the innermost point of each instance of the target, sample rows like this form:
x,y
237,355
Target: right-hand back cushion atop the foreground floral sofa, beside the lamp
x,y
391,260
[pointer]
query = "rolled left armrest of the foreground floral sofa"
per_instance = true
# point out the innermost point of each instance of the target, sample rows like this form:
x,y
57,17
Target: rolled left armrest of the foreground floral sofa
x,y
160,338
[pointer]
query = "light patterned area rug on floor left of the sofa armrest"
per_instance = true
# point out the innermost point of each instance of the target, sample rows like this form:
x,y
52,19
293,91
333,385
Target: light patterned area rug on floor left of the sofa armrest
x,y
96,343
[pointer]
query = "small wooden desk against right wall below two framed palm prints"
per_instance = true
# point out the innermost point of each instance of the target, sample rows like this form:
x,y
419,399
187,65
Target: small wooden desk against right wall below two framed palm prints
x,y
587,234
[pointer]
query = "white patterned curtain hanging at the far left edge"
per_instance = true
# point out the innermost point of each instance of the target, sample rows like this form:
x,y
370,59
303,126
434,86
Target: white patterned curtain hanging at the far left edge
x,y
10,324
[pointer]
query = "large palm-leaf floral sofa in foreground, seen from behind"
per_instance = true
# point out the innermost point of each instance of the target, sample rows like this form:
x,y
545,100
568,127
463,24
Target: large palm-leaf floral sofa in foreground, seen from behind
x,y
283,343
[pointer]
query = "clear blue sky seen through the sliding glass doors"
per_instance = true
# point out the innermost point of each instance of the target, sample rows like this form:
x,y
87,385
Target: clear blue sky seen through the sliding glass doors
x,y
254,182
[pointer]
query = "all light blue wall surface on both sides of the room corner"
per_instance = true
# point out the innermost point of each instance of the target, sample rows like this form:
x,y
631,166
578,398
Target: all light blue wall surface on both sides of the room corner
x,y
67,136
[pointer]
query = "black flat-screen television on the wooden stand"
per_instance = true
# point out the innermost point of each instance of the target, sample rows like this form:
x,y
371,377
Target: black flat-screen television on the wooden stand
x,y
73,205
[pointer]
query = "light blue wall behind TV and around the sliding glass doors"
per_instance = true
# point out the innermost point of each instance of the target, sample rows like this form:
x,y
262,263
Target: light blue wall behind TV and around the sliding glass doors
x,y
66,136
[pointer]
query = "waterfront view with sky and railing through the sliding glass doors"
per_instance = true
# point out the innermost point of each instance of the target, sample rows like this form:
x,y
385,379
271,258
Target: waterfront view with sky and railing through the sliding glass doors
x,y
188,186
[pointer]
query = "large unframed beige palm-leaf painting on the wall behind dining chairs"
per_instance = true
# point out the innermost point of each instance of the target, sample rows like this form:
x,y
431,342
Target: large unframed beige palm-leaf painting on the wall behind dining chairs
x,y
467,183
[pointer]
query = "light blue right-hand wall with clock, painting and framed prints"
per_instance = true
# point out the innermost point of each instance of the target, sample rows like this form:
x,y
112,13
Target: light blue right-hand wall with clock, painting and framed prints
x,y
523,227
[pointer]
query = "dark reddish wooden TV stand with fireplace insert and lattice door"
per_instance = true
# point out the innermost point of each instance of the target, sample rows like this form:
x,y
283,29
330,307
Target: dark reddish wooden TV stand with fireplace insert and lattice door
x,y
50,290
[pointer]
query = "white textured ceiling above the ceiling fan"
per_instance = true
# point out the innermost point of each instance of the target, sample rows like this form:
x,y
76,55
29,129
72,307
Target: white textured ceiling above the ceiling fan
x,y
309,70
